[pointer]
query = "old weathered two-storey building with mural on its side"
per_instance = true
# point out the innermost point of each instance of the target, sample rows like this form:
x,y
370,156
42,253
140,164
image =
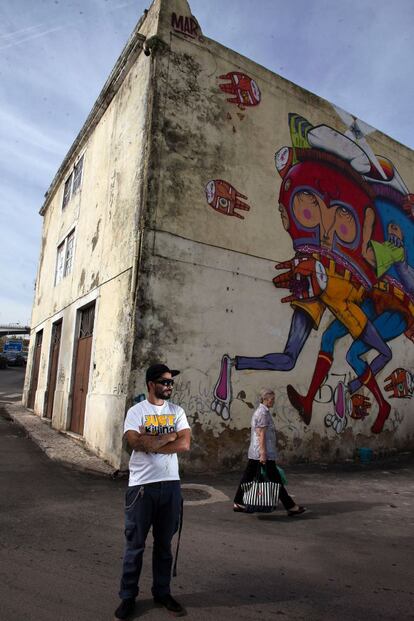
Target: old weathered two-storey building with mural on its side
x,y
196,172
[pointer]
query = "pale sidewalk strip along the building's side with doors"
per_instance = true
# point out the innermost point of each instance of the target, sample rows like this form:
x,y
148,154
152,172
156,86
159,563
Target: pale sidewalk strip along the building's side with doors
x,y
56,445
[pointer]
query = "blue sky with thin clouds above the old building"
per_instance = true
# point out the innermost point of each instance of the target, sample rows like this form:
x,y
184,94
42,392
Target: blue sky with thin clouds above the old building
x,y
55,56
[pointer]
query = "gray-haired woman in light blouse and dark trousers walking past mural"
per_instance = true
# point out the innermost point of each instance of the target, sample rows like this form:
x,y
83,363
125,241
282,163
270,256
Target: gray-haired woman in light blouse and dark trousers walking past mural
x,y
262,451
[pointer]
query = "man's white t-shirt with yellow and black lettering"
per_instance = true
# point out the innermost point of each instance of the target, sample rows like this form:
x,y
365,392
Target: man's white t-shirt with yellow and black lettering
x,y
157,419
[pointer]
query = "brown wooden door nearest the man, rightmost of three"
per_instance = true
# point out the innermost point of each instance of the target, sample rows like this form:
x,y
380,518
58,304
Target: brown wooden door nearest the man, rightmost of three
x,y
82,368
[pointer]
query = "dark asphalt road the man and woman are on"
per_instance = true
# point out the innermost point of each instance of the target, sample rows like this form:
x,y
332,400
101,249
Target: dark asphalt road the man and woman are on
x,y
350,557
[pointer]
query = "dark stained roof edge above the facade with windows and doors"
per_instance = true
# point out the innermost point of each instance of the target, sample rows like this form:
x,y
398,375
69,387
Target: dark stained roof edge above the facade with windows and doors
x,y
128,56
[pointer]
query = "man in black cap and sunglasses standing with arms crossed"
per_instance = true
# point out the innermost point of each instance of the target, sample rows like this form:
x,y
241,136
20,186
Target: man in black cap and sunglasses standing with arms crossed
x,y
156,430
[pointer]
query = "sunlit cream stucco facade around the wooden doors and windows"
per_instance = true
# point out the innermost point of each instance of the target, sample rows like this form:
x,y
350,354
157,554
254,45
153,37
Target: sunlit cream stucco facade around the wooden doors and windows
x,y
105,213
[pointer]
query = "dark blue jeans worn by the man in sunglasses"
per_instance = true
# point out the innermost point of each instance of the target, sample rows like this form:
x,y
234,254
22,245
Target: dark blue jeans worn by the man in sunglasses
x,y
157,505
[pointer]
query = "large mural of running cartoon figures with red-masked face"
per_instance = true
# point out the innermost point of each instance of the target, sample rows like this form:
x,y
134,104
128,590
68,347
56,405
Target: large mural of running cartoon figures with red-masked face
x,y
350,217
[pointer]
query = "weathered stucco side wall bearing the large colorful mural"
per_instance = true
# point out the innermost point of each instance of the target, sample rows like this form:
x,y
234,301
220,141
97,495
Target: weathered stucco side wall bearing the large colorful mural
x,y
216,232
